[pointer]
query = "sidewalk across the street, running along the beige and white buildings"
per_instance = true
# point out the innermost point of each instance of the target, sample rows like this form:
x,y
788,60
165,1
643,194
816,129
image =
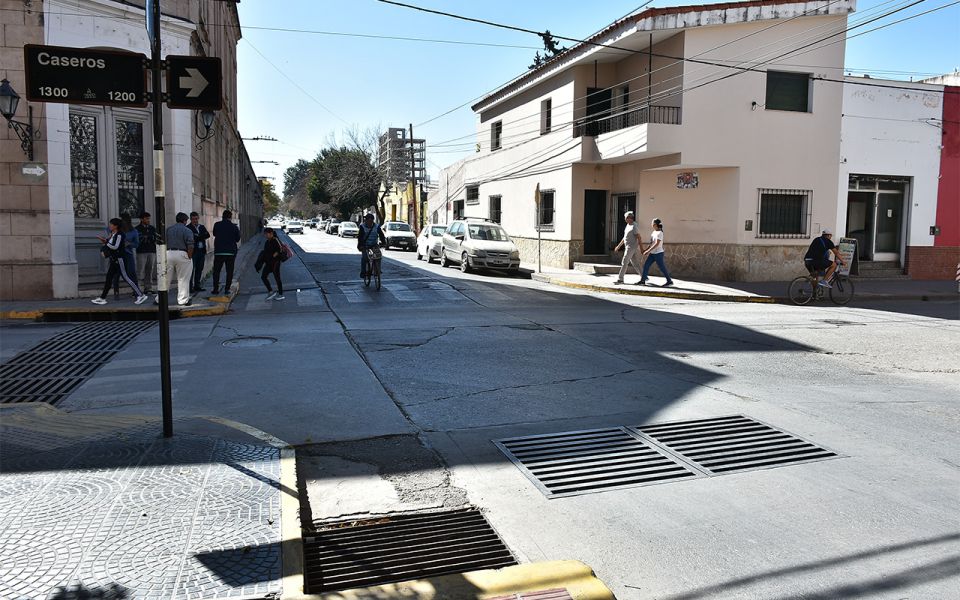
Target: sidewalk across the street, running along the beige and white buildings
x,y
758,292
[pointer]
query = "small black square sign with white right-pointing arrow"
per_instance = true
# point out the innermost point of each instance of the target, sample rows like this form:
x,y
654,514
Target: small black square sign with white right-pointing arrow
x,y
194,82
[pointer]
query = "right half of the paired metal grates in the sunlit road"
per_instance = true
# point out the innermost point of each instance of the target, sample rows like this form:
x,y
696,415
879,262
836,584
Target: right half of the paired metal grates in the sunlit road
x,y
733,443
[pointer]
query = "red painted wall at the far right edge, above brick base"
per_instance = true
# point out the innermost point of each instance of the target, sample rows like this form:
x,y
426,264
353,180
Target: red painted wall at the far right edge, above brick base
x,y
948,194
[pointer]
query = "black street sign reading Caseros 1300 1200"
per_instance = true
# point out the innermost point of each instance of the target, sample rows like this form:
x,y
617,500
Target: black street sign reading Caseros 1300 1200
x,y
84,76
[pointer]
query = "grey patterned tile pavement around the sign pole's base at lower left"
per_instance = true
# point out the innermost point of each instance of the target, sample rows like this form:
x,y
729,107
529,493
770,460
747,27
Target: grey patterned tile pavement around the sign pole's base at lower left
x,y
102,505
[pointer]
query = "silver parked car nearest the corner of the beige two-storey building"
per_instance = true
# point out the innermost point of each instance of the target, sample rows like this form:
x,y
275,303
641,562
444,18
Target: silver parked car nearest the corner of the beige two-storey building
x,y
479,244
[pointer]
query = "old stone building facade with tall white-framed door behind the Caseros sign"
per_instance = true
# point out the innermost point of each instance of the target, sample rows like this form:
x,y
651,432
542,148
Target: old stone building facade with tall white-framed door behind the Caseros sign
x,y
99,160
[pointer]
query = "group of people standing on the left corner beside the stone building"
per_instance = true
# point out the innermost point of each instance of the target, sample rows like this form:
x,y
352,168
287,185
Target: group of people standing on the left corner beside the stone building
x,y
133,250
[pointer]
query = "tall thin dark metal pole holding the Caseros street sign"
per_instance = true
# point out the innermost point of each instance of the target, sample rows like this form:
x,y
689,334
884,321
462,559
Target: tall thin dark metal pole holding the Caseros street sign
x,y
163,284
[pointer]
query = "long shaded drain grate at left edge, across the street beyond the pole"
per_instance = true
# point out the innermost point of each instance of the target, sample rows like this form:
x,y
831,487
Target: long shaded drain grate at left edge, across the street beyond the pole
x,y
51,370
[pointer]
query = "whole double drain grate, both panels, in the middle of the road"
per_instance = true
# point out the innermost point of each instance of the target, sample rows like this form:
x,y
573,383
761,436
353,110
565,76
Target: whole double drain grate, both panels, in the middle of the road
x,y
578,462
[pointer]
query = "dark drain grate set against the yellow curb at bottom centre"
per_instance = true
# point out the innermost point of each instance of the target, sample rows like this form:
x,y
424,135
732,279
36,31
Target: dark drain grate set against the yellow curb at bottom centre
x,y
401,548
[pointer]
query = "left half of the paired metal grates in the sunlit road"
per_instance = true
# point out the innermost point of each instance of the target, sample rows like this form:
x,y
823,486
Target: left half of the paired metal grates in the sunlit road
x,y
578,462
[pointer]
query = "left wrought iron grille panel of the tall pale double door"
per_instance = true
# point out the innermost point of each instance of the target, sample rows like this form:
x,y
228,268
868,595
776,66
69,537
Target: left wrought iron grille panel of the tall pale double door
x,y
84,166
